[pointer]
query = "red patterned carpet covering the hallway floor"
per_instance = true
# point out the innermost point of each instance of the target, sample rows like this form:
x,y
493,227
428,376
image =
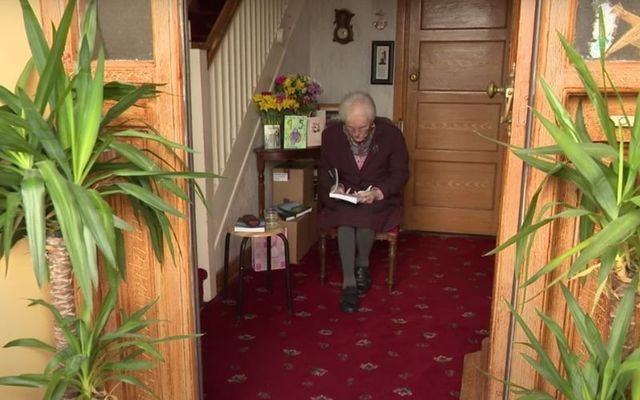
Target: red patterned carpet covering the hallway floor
x,y
407,344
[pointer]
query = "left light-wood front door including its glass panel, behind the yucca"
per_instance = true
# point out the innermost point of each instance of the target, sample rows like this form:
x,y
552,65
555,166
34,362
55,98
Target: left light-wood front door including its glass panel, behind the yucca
x,y
144,42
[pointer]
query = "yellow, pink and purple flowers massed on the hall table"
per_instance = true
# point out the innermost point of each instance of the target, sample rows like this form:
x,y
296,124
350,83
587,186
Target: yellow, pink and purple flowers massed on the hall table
x,y
292,94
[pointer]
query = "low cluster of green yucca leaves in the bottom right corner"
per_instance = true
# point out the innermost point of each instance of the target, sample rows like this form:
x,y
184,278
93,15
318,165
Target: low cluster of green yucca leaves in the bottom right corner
x,y
605,372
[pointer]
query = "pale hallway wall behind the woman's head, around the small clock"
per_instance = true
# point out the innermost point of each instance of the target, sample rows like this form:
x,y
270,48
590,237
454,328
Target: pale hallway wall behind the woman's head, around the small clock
x,y
346,67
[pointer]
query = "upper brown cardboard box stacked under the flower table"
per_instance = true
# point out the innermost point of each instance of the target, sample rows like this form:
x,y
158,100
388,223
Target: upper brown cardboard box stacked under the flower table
x,y
293,181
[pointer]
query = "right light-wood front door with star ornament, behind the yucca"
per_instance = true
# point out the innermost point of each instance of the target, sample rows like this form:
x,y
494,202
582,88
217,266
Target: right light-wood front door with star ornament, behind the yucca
x,y
574,19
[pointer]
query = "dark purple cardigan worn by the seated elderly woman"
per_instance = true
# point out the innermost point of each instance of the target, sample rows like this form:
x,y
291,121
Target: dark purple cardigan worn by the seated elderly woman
x,y
386,168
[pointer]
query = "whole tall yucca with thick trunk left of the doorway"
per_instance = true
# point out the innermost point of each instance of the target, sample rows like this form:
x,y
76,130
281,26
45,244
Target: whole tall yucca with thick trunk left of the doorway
x,y
62,158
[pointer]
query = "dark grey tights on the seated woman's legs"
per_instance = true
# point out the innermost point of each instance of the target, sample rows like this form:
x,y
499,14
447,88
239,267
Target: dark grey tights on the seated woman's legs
x,y
354,245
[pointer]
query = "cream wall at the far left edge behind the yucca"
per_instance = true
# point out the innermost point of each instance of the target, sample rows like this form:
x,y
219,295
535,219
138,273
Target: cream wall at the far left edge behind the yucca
x,y
17,283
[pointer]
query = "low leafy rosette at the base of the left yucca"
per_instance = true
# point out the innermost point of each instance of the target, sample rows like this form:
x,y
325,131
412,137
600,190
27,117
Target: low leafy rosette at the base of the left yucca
x,y
96,360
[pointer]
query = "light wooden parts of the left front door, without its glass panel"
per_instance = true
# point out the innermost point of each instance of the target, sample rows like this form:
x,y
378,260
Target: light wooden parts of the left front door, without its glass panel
x,y
172,285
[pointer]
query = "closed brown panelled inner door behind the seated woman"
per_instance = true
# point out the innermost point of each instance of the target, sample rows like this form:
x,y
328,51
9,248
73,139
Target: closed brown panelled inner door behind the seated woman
x,y
453,50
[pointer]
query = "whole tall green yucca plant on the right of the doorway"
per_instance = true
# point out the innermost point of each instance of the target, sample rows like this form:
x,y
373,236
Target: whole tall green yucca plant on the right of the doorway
x,y
607,210
